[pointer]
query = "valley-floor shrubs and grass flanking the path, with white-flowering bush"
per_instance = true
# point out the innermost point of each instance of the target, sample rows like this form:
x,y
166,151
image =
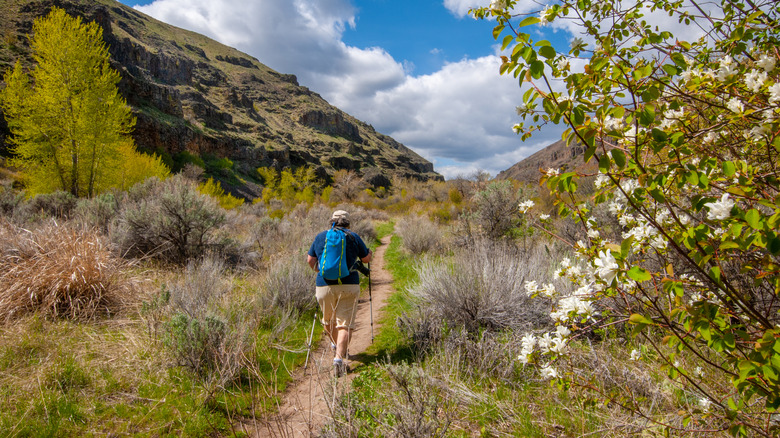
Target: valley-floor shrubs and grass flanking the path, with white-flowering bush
x,y
641,300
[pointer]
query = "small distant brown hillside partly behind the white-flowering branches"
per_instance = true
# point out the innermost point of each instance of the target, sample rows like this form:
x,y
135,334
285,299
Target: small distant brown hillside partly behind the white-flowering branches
x,y
556,155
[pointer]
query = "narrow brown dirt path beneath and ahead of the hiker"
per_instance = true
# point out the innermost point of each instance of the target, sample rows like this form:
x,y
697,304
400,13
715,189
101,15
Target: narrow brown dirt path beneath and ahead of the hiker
x,y
306,406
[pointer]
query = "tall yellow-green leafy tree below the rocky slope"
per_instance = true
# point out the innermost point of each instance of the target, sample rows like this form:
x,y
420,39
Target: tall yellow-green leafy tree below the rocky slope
x,y
70,126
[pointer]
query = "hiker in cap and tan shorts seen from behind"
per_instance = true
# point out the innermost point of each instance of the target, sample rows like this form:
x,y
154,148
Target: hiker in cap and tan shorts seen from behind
x,y
338,297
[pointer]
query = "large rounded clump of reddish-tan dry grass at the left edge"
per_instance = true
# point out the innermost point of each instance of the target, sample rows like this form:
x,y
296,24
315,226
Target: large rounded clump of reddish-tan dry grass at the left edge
x,y
59,271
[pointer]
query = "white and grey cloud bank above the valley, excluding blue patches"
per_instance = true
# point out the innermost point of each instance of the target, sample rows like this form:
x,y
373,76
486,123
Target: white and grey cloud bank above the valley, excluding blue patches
x,y
459,117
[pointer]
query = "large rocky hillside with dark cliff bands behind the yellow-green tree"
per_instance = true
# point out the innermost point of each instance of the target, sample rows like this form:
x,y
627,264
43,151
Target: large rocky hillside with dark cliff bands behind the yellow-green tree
x,y
196,97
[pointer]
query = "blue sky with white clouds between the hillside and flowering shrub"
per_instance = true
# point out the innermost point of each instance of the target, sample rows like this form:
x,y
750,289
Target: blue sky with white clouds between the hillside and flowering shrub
x,y
423,72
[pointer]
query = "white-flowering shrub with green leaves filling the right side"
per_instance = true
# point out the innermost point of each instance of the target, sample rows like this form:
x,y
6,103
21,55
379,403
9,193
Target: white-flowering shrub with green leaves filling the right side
x,y
686,137
